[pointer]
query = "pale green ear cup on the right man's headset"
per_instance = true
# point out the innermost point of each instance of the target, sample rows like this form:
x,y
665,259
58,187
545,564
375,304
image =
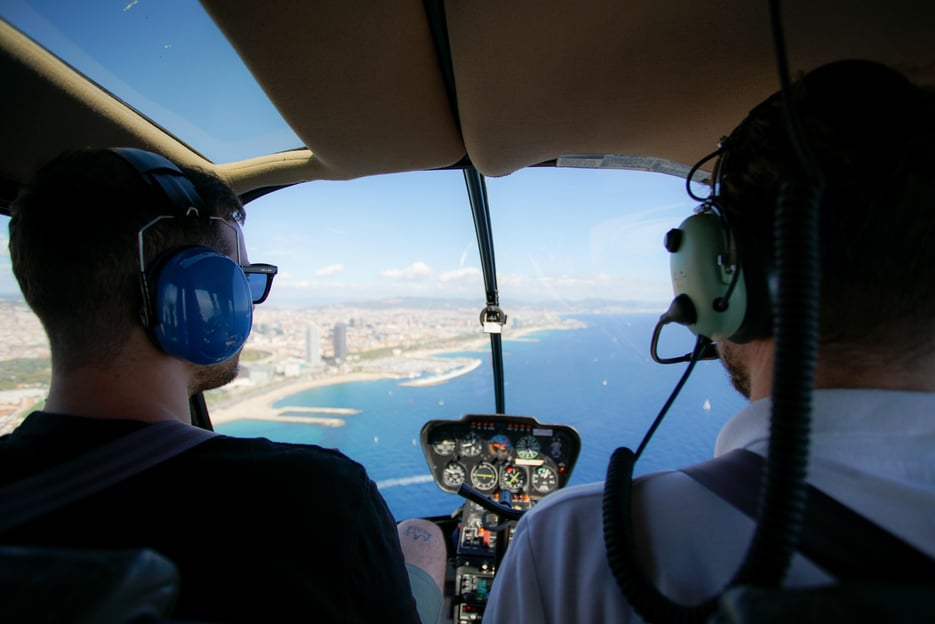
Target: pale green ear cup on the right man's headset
x,y
702,271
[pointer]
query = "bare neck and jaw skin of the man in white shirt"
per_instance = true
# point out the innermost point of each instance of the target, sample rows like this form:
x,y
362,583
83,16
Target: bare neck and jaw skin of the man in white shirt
x,y
873,370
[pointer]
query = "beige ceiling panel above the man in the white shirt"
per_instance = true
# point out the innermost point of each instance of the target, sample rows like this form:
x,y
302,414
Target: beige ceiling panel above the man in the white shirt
x,y
540,78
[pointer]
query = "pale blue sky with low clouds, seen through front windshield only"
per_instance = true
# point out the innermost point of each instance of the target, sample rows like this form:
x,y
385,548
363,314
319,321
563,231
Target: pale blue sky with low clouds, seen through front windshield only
x,y
559,235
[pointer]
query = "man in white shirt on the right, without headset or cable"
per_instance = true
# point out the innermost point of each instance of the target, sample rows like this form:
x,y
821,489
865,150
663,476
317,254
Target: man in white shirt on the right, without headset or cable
x,y
873,135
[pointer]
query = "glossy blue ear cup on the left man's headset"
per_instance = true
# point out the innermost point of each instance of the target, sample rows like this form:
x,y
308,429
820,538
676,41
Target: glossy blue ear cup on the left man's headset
x,y
201,307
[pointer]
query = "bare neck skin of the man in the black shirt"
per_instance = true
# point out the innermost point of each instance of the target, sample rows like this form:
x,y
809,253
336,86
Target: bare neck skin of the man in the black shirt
x,y
140,383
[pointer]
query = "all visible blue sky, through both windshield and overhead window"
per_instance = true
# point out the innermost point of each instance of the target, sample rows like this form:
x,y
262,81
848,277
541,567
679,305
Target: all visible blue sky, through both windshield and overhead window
x,y
560,234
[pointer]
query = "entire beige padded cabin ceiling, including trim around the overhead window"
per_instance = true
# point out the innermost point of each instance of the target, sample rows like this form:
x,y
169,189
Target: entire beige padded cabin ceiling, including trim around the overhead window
x,y
370,87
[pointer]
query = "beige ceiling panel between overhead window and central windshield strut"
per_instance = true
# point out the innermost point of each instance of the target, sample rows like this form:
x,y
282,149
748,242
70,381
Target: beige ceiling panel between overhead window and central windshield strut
x,y
358,82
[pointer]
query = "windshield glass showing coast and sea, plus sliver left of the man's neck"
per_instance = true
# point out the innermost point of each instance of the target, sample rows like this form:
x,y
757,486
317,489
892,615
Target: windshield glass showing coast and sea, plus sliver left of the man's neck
x,y
372,325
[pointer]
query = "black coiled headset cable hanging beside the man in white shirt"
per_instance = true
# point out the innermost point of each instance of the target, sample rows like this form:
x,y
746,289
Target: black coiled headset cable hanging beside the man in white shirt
x,y
782,501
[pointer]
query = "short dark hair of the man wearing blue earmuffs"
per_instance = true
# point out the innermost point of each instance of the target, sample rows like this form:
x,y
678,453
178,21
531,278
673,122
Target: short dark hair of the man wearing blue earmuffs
x,y
73,245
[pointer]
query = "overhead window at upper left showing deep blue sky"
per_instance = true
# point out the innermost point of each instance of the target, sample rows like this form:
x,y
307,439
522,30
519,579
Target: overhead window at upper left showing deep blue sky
x,y
168,61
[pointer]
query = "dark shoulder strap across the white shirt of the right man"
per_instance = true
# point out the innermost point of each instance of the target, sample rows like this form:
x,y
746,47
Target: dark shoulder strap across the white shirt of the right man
x,y
839,540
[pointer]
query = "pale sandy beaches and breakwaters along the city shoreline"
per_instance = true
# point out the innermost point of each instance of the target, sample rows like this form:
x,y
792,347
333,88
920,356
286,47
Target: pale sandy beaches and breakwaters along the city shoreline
x,y
257,404
